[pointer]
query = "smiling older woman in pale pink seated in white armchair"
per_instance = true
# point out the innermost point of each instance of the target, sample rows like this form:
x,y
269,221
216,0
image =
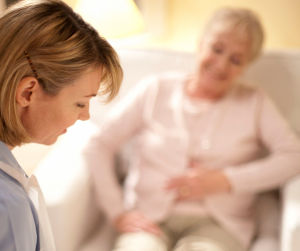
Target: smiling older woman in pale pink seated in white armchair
x,y
196,165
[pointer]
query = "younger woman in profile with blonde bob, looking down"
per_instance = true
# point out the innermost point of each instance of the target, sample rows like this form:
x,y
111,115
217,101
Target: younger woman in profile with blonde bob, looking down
x,y
52,64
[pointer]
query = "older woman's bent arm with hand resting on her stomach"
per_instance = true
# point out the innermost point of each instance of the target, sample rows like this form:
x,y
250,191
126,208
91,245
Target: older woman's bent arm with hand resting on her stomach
x,y
261,175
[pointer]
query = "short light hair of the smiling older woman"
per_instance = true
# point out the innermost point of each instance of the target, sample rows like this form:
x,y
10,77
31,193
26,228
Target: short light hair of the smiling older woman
x,y
243,21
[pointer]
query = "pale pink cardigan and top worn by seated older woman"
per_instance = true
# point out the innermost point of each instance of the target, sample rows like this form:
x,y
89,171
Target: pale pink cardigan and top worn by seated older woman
x,y
249,123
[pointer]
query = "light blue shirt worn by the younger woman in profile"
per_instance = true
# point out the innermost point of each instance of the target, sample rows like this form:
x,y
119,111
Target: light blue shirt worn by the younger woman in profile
x,y
19,224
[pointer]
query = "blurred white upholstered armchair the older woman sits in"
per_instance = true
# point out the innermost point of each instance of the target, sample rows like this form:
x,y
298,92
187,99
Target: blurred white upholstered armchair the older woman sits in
x,y
64,178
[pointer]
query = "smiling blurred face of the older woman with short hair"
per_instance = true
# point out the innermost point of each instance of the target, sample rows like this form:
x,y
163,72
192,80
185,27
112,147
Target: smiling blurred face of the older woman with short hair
x,y
222,58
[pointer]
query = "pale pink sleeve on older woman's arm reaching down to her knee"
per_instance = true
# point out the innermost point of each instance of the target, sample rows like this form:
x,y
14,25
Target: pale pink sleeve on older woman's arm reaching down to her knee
x,y
122,123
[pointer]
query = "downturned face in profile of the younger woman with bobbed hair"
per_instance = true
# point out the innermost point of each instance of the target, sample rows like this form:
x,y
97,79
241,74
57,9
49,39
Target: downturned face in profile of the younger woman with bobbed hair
x,y
48,117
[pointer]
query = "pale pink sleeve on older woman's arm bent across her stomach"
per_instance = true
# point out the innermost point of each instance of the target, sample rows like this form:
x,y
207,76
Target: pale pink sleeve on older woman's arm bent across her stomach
x,y
282,162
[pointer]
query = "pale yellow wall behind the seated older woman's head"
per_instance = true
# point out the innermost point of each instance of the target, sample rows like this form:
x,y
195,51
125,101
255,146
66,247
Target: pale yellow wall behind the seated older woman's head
x,y
185,19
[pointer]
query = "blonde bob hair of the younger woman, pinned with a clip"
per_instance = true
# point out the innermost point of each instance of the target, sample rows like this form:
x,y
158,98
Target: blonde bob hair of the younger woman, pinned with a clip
x,y
62,47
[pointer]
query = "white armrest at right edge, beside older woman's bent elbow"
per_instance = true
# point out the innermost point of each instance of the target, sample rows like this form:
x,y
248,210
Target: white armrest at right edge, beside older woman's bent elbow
x,y
290,232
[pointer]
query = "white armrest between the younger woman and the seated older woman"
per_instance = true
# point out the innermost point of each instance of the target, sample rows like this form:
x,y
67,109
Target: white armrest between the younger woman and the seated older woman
x,y
64,180
